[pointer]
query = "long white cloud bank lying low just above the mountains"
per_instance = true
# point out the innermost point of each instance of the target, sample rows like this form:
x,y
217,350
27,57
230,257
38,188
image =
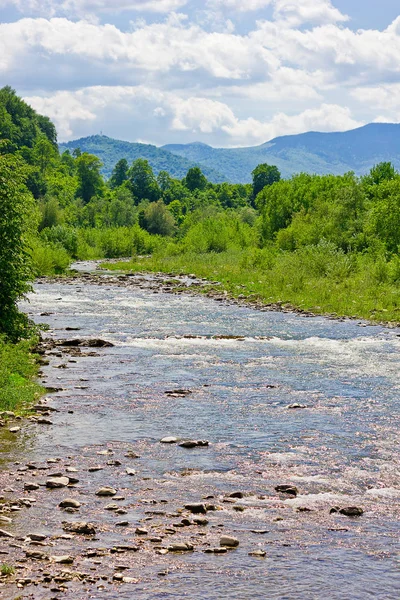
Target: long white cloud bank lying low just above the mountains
x,y
196,115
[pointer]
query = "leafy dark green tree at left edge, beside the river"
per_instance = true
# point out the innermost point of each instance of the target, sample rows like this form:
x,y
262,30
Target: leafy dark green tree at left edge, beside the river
x,y
16,222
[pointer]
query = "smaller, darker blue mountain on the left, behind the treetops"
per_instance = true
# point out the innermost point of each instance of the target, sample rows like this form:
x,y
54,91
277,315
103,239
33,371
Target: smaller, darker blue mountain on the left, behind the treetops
x,y
110,151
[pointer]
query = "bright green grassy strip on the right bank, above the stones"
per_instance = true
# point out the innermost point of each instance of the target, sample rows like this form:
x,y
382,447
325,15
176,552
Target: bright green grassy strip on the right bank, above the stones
x,y
319,279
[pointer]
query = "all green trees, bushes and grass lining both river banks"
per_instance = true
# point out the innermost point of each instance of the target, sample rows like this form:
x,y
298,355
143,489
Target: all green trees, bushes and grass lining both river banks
x,y
326,244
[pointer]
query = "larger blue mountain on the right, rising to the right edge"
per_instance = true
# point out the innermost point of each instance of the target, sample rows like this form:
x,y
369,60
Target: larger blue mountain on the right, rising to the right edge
x,y
356,150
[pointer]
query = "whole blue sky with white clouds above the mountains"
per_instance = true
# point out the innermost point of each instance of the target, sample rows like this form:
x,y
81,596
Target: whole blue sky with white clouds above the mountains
x,y
227,73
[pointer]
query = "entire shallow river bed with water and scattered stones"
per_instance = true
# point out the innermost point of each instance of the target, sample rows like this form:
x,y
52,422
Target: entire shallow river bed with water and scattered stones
x,y
191,447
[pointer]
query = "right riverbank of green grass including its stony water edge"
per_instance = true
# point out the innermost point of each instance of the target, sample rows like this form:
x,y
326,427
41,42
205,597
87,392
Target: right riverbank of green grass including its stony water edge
x,y
285,286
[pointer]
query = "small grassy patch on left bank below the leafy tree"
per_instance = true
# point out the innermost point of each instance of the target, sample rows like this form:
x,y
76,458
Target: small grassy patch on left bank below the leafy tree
x,y
18,370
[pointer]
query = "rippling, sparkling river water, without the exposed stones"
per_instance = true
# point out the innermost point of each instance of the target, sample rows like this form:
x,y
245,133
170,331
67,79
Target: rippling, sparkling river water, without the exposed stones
x,y
340,449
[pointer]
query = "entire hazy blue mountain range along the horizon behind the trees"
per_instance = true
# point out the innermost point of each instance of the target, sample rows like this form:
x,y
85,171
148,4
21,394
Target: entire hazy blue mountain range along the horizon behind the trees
x,y
356,150
